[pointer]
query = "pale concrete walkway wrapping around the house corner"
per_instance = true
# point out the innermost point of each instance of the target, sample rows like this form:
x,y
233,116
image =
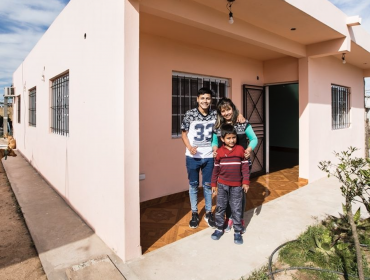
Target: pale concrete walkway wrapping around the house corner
x,y
69,249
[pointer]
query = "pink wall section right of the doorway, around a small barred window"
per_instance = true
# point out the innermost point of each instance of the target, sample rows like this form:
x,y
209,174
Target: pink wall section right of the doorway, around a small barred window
x,y
319,141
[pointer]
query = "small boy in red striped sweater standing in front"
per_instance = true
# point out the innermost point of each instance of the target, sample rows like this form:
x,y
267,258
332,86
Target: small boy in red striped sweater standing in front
x,y
230,178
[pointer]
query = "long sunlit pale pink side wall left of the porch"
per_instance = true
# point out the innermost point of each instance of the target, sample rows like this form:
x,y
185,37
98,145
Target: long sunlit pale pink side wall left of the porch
x,y
95,168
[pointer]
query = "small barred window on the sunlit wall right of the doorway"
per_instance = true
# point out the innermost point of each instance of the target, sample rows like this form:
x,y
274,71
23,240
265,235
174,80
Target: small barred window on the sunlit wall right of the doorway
x,y
340,107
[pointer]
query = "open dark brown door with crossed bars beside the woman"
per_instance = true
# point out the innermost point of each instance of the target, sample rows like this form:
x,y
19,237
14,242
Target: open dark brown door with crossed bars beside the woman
x,y
254,111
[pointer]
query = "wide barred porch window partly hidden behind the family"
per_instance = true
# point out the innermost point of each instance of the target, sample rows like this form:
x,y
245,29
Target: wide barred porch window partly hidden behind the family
x,y
184,95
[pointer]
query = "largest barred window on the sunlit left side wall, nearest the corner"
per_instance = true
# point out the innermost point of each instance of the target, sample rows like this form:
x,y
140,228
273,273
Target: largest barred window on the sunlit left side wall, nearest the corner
x,y
60,105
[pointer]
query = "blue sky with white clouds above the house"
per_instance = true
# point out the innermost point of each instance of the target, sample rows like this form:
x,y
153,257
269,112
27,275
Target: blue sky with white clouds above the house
x,y
23,22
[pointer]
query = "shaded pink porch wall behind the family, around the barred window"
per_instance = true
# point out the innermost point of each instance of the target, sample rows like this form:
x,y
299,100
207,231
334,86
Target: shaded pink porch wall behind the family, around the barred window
x,y
162,159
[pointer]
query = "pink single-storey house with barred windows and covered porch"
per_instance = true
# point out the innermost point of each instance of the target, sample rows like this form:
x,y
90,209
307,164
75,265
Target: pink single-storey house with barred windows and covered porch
x,y
100,97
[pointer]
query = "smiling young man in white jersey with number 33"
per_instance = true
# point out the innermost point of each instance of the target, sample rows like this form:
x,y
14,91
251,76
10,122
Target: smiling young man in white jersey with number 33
x,y
197,136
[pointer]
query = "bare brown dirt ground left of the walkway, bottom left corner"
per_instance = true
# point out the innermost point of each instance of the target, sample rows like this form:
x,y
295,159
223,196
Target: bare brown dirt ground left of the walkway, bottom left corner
x,y
18,257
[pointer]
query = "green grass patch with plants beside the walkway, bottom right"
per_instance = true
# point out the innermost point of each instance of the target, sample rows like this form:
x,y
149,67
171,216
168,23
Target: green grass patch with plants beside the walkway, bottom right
x,y
327,245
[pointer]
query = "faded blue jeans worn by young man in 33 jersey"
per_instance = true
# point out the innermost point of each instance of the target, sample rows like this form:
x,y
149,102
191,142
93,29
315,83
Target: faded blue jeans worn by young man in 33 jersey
x,y
193,166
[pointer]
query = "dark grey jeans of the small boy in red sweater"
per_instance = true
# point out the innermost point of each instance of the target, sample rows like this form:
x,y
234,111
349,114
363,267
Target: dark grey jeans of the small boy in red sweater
x,y
232,196
